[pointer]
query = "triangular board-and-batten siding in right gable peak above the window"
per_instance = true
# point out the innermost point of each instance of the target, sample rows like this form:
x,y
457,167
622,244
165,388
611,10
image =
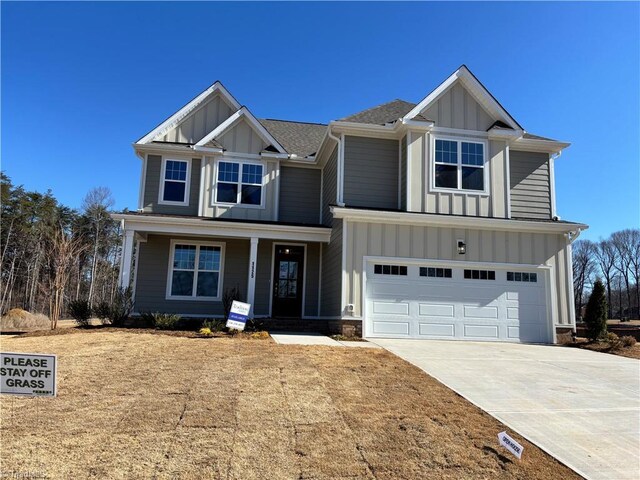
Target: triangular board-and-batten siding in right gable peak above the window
x,y
457,108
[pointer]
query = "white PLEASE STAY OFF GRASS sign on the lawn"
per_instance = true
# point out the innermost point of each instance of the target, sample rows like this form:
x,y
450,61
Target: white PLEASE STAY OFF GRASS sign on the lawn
x,y
29,374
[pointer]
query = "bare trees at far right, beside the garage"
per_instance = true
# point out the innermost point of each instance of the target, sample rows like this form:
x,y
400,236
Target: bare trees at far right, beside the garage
x,y
616,262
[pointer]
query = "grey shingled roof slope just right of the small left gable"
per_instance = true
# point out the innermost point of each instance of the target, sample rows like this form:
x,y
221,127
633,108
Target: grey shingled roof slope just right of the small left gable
x,y
299,138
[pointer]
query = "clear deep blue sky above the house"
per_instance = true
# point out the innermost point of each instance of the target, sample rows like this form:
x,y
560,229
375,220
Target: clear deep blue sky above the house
x,y
82,81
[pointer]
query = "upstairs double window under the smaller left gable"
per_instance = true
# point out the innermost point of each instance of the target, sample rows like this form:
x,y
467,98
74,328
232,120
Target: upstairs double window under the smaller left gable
x,y
239,183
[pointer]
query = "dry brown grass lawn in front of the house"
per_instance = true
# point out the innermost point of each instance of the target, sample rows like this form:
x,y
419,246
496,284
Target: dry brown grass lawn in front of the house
x,y
134,405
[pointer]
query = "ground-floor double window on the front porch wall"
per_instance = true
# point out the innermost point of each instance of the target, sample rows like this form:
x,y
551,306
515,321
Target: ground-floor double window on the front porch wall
x,y
194,271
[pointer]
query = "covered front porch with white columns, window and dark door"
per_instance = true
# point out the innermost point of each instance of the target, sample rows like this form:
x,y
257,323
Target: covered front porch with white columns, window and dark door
x,y
187,265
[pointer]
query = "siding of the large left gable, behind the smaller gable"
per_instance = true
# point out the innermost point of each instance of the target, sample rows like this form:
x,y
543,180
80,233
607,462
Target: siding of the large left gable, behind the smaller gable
x,y
200,122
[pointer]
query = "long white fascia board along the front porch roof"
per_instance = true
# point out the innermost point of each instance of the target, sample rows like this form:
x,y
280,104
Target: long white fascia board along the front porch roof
x,y
196,226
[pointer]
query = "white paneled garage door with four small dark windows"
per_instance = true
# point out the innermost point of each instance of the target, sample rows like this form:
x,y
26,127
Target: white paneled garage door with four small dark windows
x,y
440,302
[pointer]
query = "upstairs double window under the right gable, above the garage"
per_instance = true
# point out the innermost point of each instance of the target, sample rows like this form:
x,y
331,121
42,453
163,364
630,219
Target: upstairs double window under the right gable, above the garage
x,y
459,165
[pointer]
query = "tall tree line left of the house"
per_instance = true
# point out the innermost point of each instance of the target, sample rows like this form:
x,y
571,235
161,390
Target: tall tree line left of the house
x,y
52,254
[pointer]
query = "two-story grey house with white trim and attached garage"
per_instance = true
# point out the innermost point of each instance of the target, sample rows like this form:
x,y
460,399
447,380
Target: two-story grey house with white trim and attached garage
x,y
429,220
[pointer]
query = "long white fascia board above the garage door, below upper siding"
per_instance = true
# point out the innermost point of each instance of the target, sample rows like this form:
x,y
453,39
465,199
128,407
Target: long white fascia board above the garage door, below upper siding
x,y
480,223
